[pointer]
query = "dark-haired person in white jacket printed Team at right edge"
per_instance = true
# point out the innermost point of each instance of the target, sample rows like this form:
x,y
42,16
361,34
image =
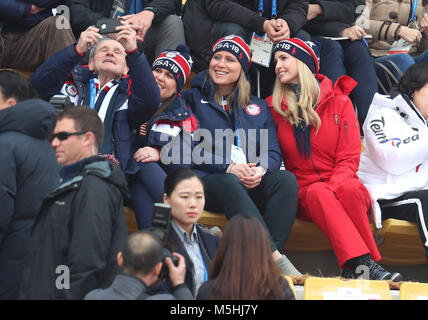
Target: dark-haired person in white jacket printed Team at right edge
x,y
394,165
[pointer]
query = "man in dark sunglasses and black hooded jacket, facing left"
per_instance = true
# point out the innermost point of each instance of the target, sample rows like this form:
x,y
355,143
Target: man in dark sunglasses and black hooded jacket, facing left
x,y
81,226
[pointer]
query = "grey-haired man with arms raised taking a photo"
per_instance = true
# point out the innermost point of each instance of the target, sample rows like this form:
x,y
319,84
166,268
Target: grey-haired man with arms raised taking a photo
x,y
104,85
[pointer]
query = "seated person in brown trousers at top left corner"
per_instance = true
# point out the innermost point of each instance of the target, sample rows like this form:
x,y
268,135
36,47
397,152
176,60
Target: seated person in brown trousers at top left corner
x,y
29,34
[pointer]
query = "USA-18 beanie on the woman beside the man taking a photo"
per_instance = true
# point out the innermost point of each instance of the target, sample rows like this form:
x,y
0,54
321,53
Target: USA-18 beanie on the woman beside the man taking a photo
x,y
178,62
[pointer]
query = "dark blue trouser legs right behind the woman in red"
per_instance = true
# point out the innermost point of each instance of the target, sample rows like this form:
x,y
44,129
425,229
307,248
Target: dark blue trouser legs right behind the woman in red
x,y
353,58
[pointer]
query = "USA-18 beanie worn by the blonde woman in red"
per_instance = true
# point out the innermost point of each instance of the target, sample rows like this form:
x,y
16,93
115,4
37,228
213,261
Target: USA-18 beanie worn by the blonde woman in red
x,y
306,51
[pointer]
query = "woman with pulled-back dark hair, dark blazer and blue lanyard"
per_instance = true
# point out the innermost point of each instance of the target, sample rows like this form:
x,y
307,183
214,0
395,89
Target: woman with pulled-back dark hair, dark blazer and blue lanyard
x,y
184,192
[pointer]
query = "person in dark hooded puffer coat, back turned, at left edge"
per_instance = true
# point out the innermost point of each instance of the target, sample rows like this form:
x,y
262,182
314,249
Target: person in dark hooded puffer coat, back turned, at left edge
x,y
28,172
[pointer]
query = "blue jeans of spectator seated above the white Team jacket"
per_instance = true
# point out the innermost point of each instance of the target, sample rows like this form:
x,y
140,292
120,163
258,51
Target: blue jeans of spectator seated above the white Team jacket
x,y
403,62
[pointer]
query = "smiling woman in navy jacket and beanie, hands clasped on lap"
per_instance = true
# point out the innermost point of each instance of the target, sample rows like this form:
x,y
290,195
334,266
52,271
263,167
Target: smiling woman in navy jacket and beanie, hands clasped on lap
x,y
238,157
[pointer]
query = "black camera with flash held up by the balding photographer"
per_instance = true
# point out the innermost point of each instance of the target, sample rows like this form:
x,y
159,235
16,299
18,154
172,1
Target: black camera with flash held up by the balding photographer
x,y
161,222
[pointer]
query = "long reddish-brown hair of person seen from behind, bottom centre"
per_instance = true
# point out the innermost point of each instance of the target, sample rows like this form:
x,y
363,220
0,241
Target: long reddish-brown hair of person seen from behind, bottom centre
x,y
243,268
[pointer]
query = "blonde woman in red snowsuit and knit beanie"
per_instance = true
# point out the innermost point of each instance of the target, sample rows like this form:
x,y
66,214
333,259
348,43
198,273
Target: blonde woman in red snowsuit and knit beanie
x,y
319,136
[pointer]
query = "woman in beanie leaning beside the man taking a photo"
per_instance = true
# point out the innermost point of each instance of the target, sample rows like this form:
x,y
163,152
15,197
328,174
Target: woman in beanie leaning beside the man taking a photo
x,y
165,136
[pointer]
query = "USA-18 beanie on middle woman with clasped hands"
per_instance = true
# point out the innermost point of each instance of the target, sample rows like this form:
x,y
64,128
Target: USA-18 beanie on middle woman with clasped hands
x,y
236,46
